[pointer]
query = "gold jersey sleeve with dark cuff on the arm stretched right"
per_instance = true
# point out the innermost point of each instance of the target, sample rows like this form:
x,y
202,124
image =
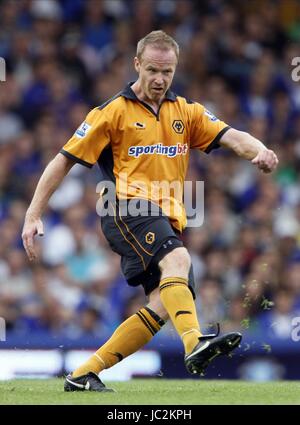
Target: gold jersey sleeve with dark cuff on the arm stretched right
x,y
206,129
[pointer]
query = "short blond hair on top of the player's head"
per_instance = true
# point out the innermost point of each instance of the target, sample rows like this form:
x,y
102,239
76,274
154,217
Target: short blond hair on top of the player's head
x,y
158,39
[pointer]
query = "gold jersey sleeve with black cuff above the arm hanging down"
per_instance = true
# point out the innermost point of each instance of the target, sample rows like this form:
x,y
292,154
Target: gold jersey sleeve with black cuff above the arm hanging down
x,y
89,140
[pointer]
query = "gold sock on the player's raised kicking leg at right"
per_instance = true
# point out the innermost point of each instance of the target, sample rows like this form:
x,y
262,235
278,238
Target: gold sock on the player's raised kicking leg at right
x,y
178,301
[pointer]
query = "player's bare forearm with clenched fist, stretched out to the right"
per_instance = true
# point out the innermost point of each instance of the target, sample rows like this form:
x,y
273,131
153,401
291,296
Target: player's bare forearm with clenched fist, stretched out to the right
x,y
248,147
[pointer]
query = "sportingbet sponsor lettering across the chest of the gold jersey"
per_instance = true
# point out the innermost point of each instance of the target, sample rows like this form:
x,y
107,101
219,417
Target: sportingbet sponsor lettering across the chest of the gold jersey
x,y
158,149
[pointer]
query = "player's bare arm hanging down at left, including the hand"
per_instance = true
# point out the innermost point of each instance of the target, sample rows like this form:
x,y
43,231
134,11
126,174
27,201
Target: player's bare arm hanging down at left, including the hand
x,y
51,178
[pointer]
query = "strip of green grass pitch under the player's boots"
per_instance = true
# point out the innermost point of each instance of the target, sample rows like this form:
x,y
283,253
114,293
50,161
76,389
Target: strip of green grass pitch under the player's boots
x,y
153,391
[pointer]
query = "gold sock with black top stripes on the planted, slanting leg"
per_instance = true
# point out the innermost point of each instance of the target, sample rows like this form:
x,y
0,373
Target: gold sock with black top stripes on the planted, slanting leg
x,y
129,337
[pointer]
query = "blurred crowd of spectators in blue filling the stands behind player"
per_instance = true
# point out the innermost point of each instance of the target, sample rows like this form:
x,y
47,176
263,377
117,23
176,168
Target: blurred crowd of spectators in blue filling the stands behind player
x,y
64,57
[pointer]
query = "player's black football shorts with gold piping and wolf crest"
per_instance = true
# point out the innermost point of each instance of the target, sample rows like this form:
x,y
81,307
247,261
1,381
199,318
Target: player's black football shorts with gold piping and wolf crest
x,y
141,241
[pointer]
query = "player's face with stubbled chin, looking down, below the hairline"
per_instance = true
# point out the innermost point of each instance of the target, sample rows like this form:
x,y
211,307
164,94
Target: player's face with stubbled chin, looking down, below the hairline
x,y
156,71
